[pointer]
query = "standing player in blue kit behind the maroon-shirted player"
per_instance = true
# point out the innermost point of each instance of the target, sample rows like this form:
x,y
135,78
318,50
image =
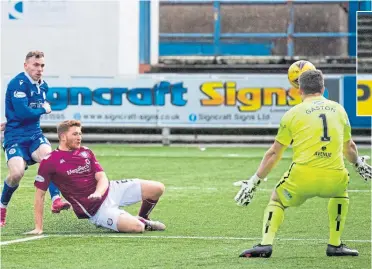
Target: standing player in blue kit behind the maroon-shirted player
x,y
24,143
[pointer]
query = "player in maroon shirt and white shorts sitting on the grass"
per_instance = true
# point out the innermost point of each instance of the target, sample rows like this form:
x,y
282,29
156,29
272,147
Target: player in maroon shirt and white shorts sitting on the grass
x,y
76,172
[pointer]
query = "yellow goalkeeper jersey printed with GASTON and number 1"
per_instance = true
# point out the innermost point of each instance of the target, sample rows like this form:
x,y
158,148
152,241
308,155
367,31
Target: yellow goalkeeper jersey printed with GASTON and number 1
x,y
317,129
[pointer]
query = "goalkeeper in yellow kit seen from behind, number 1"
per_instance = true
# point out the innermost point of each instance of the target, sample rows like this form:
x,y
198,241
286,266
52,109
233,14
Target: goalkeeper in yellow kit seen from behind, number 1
x,y
320,134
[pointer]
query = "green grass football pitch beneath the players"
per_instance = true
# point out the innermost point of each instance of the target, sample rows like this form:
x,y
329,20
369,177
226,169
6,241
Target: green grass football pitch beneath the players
x,y
205,228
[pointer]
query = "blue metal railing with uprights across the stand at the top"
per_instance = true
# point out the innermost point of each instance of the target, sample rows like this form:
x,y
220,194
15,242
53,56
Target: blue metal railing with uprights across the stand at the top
x,y
290,34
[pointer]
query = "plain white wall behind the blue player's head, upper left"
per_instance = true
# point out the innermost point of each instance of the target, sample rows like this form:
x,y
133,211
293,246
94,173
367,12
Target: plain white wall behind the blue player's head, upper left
x,y
79,38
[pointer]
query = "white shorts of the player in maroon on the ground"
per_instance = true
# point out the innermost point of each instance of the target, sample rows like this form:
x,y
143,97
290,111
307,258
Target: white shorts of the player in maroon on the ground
x,y
121,193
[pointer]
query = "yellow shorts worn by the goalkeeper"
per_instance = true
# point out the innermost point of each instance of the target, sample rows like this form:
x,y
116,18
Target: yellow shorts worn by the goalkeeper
x,y
302,182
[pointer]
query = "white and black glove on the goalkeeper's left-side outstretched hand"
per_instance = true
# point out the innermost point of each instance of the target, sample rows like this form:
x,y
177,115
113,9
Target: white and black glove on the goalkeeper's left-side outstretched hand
x,y
247,190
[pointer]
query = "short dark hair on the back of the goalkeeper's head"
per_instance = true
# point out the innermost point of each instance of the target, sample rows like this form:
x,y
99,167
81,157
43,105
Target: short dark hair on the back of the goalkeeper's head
x,y
311,81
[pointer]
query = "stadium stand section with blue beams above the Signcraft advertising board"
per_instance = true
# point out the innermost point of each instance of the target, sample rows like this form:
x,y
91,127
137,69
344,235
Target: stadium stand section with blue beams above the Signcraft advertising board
x,y
246,36
